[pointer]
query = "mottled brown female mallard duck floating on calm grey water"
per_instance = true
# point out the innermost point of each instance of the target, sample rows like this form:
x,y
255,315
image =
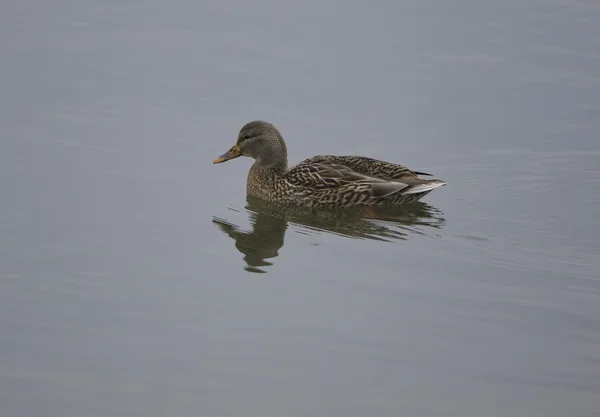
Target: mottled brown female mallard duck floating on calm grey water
x,y
324,180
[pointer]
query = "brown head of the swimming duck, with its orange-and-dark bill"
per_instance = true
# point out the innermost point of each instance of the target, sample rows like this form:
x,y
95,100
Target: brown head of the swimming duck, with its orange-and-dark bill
x,y
259,140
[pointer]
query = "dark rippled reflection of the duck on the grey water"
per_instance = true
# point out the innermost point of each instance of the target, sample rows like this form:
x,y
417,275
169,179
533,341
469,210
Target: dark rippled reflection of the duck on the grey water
x,y
270,222
